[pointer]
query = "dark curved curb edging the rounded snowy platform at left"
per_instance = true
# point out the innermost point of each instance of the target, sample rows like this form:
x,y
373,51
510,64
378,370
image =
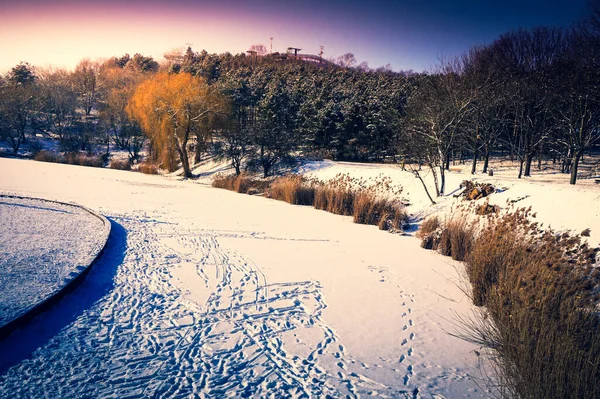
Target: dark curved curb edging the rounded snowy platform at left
x,y
70,285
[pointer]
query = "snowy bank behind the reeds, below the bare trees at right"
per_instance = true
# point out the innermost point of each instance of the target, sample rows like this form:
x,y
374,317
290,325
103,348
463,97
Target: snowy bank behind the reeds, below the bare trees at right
x,y
556,203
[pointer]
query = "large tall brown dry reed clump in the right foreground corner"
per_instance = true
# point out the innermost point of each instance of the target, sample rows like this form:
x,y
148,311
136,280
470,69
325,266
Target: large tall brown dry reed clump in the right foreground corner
x,y
541,291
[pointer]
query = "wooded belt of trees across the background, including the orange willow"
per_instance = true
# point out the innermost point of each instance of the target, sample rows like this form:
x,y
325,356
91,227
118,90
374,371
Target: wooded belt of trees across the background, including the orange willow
x,y
532,94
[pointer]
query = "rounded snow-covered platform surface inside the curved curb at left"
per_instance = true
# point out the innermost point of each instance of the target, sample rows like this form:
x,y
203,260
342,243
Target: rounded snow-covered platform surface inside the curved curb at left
x,y
45,245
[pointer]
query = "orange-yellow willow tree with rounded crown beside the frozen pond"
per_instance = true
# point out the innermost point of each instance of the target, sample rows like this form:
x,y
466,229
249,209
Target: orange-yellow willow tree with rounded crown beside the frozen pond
x,y
171,108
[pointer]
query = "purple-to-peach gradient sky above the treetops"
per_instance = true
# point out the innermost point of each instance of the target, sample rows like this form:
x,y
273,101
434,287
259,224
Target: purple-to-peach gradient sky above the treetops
x,y
406,34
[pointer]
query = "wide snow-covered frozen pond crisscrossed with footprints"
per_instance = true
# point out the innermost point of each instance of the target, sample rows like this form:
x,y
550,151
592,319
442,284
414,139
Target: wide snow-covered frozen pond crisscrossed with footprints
x,y
207,293
